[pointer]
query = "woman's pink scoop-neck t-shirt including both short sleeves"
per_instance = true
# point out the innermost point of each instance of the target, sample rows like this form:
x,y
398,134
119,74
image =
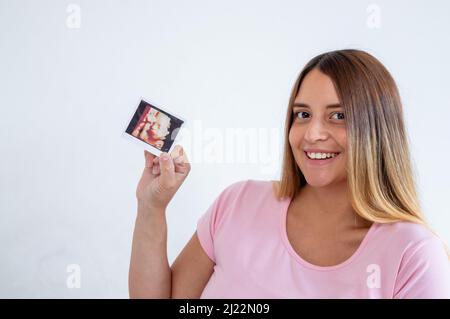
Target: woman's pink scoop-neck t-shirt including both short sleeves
x,y
244,233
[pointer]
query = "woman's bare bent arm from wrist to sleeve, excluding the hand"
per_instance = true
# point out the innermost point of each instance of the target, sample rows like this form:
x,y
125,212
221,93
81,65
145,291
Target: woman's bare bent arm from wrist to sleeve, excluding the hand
x,y
150,275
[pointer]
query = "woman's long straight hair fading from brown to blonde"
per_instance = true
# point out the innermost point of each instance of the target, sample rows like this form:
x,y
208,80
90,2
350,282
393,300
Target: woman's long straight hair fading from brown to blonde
x,y
379,174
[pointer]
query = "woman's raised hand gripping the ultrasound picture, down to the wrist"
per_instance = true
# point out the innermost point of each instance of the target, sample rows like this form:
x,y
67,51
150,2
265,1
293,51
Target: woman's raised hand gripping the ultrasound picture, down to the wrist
x,y
162,178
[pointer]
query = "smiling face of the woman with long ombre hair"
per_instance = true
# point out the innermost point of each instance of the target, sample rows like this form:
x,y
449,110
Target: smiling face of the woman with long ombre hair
x,y
319,129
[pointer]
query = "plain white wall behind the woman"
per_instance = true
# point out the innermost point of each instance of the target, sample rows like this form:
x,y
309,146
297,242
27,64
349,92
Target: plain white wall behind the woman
x,y
67,178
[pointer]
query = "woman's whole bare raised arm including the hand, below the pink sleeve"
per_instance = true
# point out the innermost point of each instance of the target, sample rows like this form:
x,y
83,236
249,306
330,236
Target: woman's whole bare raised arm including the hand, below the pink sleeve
x,y
150,275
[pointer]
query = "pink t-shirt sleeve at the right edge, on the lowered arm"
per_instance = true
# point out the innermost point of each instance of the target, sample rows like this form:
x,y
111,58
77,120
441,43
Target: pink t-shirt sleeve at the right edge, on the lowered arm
x,y
424,272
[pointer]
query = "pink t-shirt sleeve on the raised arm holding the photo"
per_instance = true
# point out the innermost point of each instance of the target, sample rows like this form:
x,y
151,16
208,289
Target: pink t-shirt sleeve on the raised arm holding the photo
x,y
209,222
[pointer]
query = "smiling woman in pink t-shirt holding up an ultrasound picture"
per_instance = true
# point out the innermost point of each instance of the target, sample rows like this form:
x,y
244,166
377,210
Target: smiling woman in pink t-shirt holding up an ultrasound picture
x,y
343,221
